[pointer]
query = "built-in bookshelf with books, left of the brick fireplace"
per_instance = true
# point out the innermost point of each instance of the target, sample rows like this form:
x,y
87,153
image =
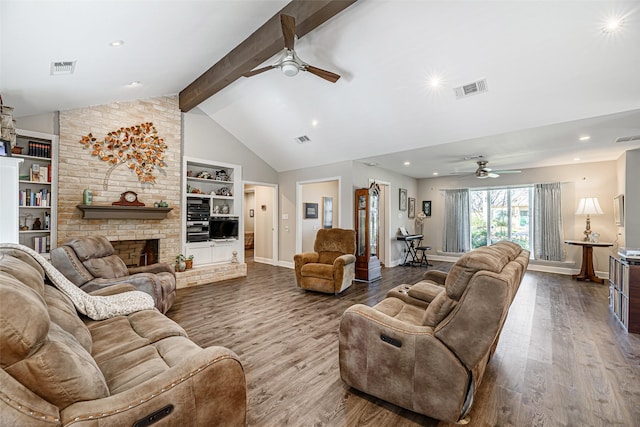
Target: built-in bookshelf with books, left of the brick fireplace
x,y
38,189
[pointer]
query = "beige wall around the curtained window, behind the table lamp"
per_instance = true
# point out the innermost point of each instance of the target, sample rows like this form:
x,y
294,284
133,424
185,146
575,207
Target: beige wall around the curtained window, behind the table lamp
x,y
579,180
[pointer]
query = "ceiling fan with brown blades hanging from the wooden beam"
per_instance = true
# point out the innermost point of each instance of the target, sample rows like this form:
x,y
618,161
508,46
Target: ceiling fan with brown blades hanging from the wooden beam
x,y
290,63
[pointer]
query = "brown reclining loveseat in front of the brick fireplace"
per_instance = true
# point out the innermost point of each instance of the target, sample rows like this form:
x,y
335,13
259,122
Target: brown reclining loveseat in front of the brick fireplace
x,y
91,263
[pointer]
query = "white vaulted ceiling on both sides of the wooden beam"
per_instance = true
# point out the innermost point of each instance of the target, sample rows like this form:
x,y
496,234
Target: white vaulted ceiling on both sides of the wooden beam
x,y
553,75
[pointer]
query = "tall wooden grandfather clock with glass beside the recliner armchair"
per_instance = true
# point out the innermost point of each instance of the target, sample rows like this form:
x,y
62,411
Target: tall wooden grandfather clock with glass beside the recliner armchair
x,y
367,223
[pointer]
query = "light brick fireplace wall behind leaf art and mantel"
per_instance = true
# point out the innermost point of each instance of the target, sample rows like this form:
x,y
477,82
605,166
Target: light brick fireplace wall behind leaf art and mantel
x,y
78,170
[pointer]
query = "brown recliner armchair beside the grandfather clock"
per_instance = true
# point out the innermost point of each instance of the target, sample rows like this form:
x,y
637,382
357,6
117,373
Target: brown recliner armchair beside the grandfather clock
x,y
331,268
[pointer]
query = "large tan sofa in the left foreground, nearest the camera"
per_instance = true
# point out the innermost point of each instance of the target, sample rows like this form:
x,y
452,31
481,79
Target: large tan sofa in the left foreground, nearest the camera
x,y
60,369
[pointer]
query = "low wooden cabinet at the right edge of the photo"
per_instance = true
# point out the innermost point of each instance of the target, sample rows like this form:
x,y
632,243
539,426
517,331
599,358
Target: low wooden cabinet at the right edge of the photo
x,y
624,292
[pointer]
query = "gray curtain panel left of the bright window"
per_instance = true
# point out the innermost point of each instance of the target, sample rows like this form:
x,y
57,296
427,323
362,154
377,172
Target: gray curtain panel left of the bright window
x,y
457,222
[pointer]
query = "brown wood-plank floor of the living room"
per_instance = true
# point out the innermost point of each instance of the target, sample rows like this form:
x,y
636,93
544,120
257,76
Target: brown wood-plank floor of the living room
x,y
562,359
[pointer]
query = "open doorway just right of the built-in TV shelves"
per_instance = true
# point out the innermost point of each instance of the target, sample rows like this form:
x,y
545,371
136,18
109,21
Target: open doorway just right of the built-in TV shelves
x,y
260,207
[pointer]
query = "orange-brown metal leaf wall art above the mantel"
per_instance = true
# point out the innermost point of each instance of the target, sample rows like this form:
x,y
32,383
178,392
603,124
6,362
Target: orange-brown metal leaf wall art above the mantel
x,y
139,147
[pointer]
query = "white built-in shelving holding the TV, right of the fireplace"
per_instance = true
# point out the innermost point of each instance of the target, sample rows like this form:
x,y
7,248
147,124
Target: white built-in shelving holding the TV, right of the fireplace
x,y
214,188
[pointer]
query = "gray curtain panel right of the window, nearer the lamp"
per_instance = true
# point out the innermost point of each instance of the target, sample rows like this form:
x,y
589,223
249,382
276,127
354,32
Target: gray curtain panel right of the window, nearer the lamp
x,y
547,222
